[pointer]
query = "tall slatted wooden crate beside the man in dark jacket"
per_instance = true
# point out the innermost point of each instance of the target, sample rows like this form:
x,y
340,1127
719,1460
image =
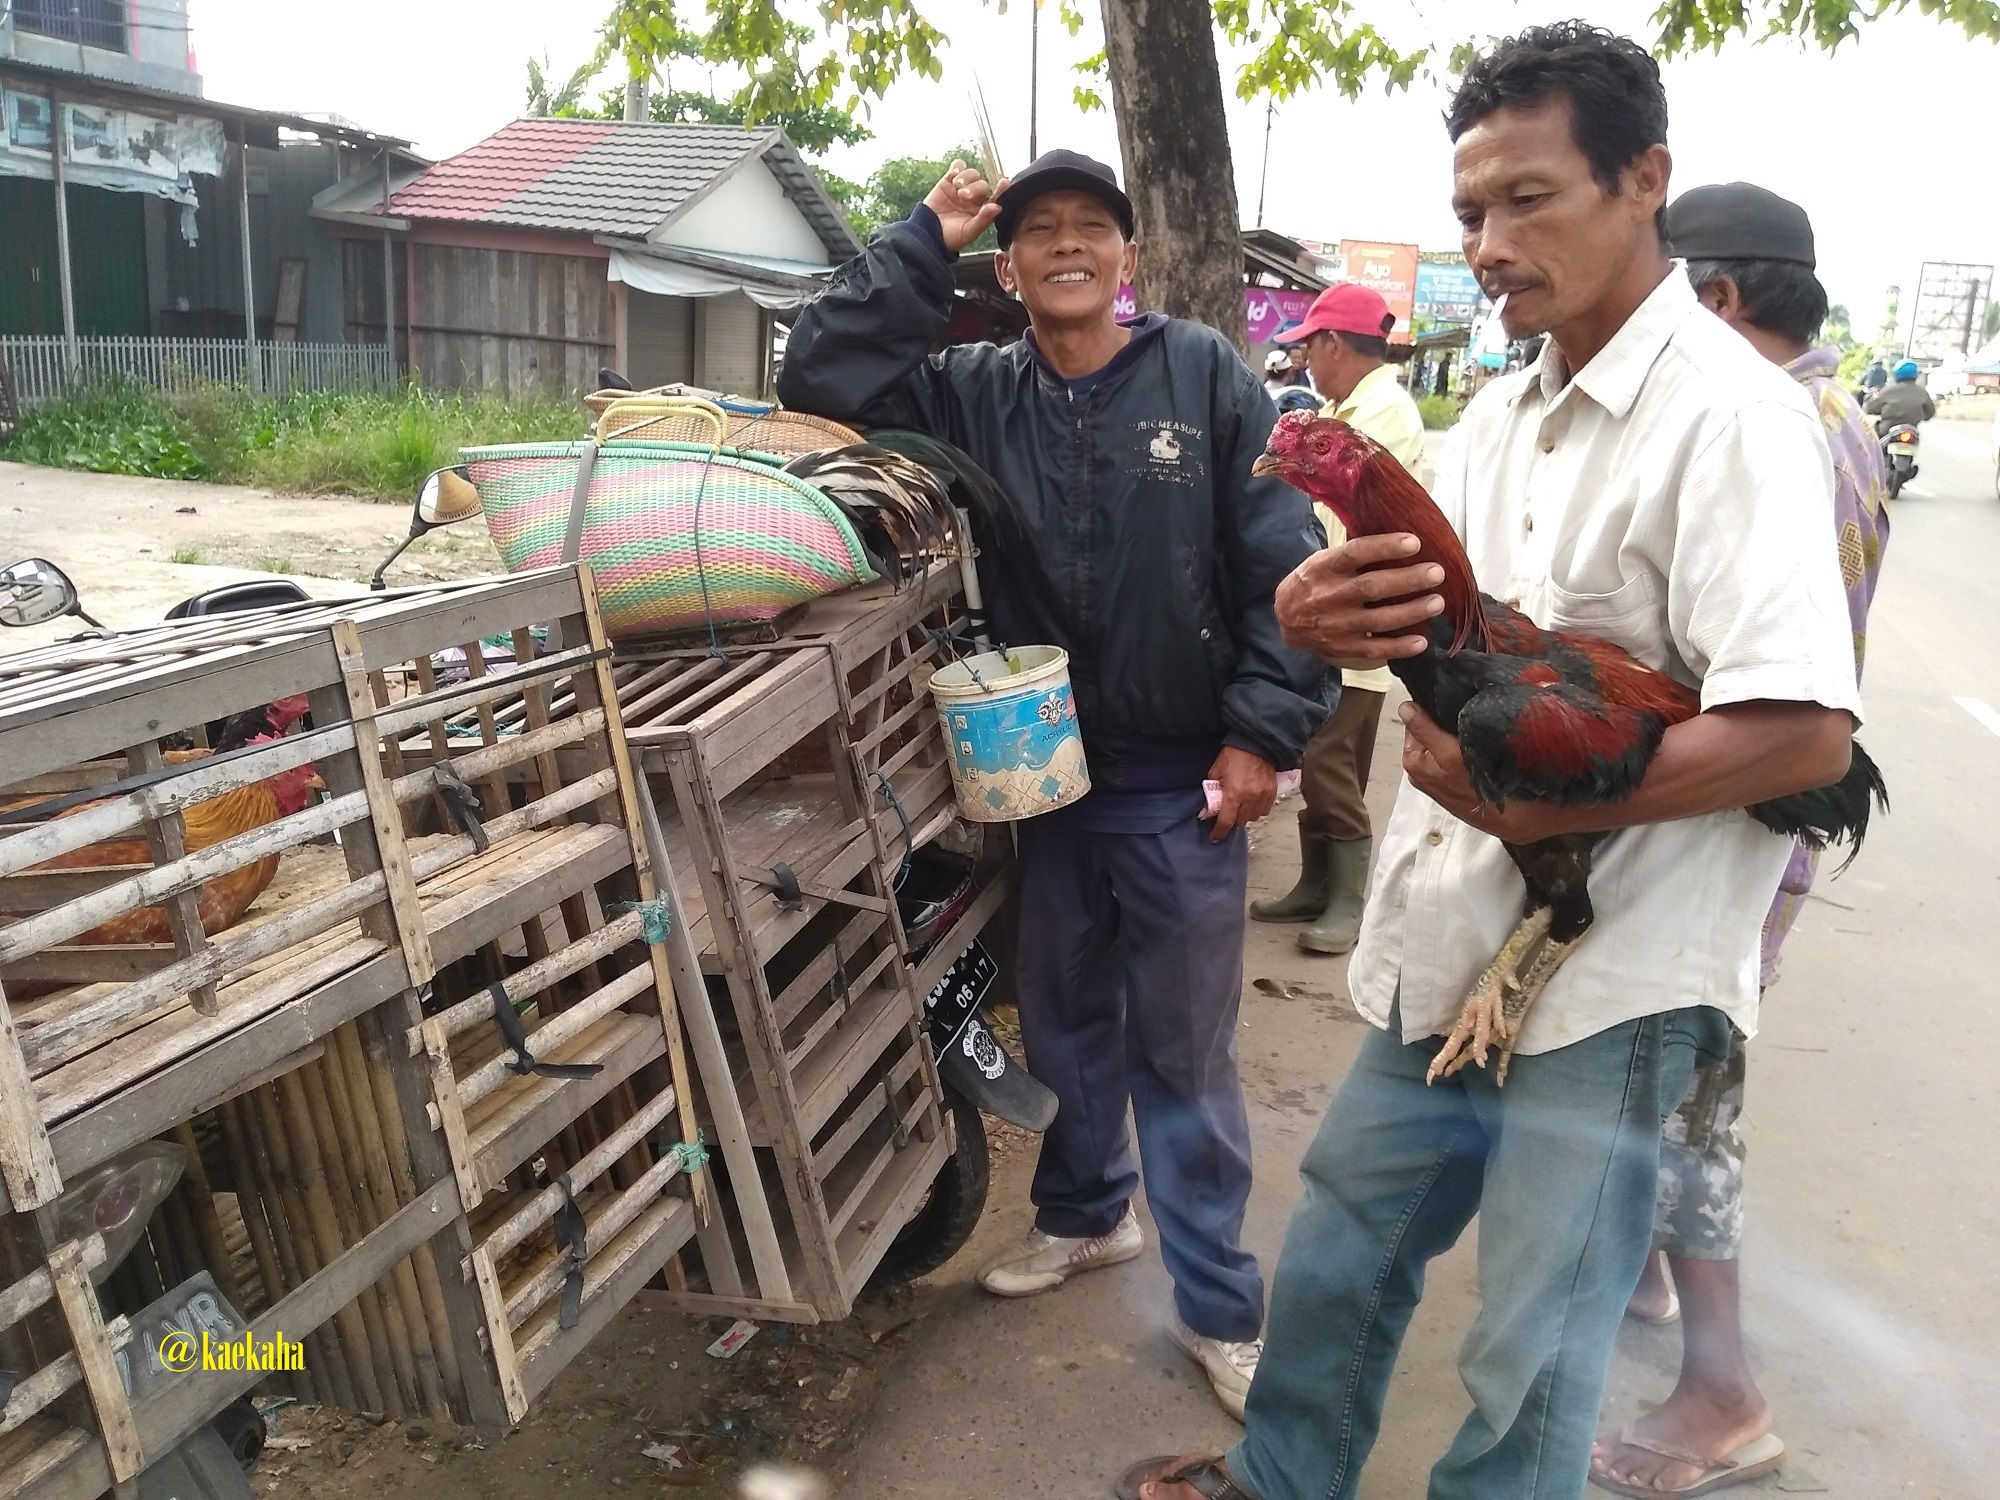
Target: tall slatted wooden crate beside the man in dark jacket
x,y
789,785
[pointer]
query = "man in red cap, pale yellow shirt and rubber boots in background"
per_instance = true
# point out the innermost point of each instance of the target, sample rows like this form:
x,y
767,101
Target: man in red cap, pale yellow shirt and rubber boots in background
x,y
1345,339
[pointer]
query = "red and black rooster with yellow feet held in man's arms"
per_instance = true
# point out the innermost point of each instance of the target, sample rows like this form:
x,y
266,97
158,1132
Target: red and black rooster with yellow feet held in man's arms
x,y
1543,739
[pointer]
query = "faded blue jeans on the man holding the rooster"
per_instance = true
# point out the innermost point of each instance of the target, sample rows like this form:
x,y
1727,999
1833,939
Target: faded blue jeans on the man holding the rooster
x,y
1563,1169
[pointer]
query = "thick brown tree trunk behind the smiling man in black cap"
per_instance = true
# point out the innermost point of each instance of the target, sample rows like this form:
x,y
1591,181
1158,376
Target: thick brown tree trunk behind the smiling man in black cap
x,y
1175,139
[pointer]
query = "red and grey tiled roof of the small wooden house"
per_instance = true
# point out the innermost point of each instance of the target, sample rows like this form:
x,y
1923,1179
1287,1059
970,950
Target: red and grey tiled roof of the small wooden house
x,y
591,177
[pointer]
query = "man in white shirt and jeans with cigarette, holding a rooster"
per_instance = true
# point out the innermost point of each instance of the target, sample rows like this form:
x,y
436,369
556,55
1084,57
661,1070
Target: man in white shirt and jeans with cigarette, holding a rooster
x,y
1655,487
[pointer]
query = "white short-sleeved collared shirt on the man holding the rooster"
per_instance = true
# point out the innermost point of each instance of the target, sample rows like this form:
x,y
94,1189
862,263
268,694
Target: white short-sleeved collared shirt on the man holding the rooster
x,y
1673,497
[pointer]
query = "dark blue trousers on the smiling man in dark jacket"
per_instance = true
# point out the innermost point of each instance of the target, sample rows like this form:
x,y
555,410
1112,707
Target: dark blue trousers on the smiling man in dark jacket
x,y
1129,981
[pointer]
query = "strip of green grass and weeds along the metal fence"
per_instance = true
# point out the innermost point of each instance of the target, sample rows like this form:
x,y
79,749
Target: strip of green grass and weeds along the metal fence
x,y
311,443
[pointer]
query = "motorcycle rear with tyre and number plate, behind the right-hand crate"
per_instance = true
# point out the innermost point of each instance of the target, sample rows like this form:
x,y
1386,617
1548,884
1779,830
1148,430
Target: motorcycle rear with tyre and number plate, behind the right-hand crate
x,y
975,1069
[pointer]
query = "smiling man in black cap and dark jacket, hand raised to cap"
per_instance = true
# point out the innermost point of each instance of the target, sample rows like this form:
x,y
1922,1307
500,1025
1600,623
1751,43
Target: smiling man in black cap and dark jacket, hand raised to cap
x,y
1149,553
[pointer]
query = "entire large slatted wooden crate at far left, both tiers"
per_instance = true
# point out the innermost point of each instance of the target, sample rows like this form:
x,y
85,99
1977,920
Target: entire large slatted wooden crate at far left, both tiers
x,y
389,1167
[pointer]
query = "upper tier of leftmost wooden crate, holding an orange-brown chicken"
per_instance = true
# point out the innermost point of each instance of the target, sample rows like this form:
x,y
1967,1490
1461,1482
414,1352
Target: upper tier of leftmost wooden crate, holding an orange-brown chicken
x,y
147,1035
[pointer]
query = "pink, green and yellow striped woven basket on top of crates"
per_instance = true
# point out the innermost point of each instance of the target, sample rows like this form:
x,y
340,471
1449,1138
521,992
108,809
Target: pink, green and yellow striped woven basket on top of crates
x,y
677,535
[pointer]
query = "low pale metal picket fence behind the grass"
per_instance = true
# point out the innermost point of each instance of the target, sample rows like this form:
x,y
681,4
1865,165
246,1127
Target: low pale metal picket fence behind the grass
x,y
41,367
